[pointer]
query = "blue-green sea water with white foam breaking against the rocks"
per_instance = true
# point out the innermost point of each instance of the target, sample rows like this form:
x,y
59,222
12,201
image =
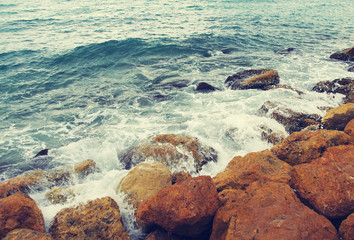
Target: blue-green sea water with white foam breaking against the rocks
x,y
88,79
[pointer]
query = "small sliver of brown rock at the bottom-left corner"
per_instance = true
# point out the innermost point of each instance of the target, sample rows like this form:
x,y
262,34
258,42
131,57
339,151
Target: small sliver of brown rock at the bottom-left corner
x,y
27,234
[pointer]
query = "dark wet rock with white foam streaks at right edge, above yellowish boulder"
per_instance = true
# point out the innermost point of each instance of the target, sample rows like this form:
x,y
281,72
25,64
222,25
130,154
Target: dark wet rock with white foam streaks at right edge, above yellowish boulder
x,y
343,86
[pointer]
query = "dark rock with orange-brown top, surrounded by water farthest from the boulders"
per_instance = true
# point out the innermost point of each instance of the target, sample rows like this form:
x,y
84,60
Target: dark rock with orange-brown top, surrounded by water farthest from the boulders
x,y
253,79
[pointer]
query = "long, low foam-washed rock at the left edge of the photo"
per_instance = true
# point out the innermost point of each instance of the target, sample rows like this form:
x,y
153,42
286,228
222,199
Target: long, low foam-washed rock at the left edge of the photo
x,y
38,179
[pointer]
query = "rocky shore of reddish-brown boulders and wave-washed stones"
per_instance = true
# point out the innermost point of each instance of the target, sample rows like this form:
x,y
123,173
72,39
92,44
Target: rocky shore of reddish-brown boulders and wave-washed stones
x,y
301,188
